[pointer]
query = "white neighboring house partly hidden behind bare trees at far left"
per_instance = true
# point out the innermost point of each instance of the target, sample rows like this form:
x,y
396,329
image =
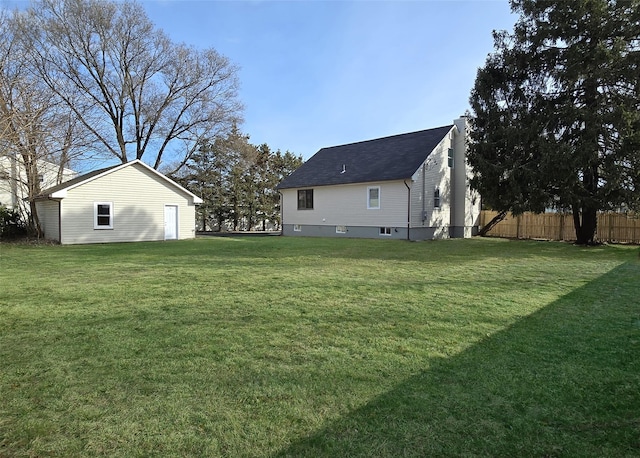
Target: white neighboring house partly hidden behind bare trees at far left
x,y
13,181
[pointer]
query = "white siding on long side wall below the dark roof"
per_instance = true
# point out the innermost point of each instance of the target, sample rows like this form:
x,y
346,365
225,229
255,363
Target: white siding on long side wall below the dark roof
x,y
346,205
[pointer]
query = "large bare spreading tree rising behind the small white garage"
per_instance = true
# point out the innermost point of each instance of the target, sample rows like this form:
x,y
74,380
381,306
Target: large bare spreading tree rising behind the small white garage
x,y
139,94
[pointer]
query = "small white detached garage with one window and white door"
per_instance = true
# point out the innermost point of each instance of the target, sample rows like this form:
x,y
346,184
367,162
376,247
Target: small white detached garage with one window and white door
x,y
124,203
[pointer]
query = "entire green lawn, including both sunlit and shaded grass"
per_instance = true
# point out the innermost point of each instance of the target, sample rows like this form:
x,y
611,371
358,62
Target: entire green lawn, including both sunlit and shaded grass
x,y
276,347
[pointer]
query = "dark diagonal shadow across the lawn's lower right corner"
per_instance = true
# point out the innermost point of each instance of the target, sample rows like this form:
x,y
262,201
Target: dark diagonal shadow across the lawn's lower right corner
x,y
564,381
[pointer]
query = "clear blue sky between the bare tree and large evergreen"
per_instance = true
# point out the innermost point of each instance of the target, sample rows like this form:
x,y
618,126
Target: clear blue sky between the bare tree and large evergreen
x,y
324,73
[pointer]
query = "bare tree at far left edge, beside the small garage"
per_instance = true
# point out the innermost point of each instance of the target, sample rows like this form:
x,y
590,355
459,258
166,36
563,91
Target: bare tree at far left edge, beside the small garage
x,y
35,129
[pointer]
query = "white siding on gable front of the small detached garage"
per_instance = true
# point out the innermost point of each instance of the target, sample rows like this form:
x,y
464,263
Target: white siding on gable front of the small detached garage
x,y
139,197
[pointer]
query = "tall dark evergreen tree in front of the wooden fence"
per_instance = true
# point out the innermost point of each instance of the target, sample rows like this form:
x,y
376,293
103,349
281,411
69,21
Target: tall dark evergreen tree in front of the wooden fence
x,y
556,111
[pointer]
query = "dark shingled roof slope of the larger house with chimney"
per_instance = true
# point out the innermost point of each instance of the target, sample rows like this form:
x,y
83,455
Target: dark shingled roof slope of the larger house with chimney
x,y
384,159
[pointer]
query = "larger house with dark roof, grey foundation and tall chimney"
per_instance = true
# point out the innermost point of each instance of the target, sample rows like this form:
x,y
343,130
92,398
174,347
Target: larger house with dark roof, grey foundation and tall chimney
x,y
412,186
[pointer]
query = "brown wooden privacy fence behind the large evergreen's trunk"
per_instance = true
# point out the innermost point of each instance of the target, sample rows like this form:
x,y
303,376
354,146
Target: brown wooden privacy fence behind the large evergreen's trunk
x,y
612,227
